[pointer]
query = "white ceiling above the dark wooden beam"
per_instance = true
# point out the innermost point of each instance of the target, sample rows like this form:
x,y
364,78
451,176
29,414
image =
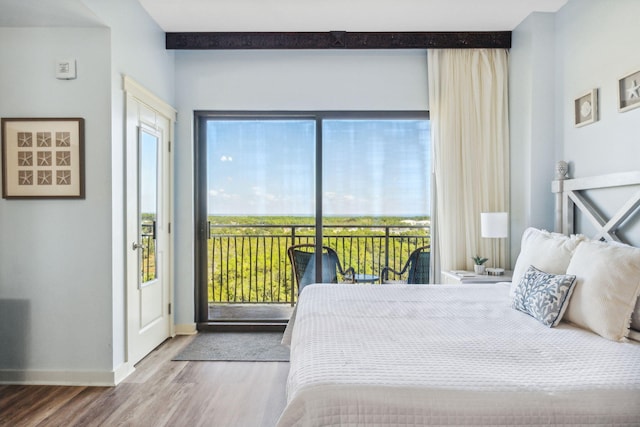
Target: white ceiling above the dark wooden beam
x,y
344,15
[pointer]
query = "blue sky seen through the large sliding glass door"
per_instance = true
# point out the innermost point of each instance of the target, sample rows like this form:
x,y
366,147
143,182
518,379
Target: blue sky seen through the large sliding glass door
x,y
267,167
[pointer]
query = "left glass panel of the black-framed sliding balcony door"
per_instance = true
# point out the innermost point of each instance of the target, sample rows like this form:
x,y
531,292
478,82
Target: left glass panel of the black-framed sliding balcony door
x,y
261,189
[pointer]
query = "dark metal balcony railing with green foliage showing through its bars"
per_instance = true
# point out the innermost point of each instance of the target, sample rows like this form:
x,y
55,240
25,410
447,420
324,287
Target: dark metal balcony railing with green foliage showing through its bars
x,y
249,263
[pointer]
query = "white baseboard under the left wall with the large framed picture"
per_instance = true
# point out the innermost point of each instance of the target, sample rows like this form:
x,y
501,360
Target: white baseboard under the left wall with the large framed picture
x,y
71,378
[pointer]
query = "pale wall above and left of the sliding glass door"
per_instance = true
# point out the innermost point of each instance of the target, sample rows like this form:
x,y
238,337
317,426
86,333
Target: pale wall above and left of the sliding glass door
x,y
278,80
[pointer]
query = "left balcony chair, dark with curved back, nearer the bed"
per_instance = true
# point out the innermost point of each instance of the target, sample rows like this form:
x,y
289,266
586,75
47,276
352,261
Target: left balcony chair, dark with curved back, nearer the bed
x,y
302,258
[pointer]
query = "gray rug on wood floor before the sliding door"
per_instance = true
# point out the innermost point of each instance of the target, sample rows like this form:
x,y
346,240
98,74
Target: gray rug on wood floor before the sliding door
x,y
235,346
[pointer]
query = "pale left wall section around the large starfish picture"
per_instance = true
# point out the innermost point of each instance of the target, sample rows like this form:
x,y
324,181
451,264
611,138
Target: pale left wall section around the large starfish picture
x,y
53,255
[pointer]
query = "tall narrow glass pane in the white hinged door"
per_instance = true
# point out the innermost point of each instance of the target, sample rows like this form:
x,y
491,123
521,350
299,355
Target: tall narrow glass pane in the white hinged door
x,y
148,194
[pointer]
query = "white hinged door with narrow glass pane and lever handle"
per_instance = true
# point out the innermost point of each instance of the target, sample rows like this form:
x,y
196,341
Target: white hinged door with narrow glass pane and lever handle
x,y
148,241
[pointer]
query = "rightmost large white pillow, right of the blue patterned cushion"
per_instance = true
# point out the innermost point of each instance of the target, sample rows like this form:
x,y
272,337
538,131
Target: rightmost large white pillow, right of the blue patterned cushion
x,y
606,290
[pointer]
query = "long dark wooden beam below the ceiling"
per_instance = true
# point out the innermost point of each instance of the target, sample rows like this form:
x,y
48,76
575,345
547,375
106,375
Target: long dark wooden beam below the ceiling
x,y
338,40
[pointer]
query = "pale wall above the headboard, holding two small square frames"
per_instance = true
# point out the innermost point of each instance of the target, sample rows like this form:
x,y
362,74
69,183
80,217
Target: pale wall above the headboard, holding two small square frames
x,y
597,42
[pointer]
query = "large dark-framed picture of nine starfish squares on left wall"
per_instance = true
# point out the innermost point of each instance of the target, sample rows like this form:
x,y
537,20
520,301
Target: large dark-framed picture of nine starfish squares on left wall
x,y
43,158
